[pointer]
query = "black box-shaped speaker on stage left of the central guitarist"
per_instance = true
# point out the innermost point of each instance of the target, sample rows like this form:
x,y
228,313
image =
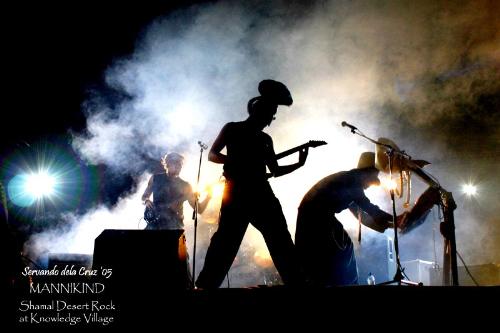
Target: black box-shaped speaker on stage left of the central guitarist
x,y
143,259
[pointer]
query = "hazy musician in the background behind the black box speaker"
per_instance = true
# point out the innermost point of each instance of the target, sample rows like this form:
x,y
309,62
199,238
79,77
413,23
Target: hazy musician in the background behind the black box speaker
x,y
169,193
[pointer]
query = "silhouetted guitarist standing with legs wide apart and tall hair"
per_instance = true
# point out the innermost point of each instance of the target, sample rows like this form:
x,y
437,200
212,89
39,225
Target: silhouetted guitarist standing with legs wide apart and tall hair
x,y
248,197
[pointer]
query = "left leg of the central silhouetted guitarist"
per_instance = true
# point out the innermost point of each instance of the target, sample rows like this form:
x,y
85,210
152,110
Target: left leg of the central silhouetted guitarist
x,y
223,248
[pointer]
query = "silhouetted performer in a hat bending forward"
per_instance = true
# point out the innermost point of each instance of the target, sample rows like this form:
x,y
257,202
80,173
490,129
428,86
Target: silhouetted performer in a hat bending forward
x,y
325,249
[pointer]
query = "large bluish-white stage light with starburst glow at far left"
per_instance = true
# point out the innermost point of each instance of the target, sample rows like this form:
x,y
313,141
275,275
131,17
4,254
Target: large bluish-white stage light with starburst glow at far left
x,y
48,177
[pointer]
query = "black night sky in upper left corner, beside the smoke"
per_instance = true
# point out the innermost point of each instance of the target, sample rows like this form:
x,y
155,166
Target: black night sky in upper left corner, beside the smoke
x,y
53,53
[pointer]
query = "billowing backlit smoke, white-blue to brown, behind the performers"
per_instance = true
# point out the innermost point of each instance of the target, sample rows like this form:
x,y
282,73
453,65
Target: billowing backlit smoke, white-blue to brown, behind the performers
x,y
424,74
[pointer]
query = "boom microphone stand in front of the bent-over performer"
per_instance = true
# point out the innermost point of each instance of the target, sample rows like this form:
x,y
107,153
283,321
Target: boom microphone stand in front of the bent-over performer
x,y
398,276
